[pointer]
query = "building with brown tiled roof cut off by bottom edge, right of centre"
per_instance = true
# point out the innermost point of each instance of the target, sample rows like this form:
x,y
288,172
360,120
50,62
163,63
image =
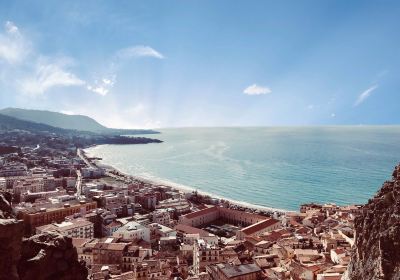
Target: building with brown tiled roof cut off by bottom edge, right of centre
x,y
225,271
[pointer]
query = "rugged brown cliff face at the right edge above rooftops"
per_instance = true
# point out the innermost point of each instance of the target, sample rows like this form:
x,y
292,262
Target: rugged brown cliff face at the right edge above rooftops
x,y
376,253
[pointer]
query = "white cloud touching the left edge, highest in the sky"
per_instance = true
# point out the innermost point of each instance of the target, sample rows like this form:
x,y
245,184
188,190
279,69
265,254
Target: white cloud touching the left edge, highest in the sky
x,y
13,46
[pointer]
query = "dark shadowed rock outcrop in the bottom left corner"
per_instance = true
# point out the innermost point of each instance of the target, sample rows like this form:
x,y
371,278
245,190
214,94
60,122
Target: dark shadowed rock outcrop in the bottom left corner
x,y
41,257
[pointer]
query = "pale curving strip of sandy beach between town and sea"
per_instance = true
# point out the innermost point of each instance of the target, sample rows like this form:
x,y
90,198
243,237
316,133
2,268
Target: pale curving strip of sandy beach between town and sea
x,y
179,187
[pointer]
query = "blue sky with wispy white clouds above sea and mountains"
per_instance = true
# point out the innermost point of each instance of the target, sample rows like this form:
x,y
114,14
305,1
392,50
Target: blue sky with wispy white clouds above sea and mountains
x,y
152,64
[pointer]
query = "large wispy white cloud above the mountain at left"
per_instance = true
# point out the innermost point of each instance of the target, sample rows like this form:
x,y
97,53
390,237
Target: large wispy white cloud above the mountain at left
x,y
47,76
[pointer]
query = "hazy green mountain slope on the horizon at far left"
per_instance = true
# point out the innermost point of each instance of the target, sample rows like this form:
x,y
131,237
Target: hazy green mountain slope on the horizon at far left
x,y
60,120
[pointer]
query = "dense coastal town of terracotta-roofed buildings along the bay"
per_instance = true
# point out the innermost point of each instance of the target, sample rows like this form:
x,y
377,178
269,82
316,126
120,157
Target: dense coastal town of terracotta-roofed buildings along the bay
x,y
124,227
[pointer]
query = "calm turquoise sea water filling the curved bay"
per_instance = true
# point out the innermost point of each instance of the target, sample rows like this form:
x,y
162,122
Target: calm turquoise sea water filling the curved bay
x,y
273,167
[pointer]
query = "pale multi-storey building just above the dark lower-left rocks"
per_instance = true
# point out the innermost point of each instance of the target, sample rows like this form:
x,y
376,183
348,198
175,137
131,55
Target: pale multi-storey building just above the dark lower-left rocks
x,y
77,228
